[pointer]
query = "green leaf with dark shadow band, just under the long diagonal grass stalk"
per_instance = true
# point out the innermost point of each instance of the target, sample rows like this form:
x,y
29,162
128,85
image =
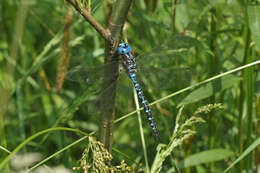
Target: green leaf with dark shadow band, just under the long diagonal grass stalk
x,y
210,89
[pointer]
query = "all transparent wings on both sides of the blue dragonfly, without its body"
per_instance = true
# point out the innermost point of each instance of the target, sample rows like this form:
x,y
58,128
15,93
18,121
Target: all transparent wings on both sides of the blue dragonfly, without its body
x,y
158,71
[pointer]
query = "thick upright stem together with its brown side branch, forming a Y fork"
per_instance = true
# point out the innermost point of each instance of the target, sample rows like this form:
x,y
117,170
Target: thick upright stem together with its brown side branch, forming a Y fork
x,y
112,36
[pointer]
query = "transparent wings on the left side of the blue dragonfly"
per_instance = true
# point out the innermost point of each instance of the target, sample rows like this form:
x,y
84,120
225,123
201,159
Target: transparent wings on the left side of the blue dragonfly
x,y
99,82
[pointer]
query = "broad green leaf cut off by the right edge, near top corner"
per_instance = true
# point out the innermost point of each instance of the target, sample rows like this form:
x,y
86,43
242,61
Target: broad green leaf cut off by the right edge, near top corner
x,y
253,12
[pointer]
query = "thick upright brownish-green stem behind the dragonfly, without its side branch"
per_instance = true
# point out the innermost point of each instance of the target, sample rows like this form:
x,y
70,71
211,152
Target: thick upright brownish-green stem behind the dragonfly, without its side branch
x,y
115,25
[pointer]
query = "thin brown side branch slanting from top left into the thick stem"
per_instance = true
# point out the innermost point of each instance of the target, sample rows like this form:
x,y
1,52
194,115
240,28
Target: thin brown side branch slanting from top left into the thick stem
x,y
90,19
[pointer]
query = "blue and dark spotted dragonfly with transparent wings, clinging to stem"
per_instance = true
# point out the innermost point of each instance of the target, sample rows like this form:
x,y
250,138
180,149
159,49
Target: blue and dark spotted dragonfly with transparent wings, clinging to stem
x,y
160,69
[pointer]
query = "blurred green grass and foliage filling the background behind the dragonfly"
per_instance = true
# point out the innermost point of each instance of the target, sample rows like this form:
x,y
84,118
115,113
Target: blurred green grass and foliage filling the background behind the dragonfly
x,y
32,43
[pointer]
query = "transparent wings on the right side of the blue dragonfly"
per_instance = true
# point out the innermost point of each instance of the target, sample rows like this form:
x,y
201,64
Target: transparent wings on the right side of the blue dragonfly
x,y
166,67
